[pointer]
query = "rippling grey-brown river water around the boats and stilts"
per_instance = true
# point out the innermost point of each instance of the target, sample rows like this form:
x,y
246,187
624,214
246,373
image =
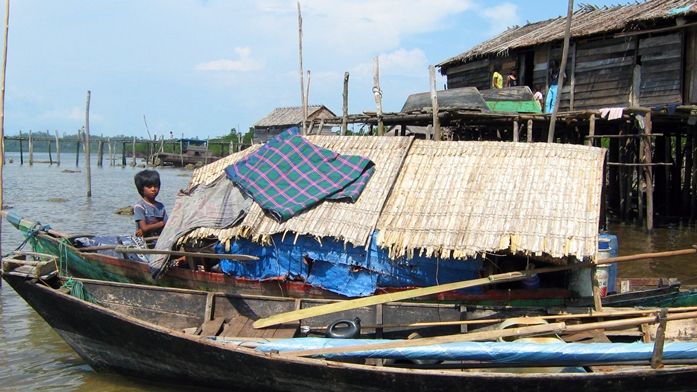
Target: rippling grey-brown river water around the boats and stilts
x,y
33,357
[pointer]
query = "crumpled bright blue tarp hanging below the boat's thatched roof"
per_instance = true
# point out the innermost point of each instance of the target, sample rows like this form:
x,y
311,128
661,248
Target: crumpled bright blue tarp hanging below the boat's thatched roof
x,y
342,268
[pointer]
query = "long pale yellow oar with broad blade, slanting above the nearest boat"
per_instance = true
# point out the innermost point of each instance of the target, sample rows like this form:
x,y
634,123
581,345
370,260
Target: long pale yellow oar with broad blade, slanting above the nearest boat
x,y
420,292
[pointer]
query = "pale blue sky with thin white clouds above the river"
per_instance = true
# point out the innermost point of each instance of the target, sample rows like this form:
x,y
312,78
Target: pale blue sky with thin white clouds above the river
x,y
199,68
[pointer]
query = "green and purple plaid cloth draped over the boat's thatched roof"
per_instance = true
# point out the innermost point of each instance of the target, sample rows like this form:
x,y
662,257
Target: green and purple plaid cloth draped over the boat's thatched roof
x,y
289,175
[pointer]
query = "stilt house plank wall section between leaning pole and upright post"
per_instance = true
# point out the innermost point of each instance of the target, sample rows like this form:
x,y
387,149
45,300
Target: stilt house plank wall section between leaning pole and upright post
x,y
603,73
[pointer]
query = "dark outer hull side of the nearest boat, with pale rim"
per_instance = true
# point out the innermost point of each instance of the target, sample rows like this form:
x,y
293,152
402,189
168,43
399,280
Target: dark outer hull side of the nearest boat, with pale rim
x,y
109,340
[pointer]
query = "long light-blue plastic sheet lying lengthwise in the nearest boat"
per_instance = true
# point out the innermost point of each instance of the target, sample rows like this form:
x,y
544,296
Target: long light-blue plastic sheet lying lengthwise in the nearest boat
x,y
568,354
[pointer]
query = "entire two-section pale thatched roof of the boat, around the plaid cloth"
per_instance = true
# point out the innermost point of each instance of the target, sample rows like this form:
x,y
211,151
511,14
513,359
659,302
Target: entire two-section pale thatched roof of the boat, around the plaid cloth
x,y
452,198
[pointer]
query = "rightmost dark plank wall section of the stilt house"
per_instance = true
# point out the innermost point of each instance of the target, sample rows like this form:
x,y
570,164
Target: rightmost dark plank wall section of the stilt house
x,y
661,69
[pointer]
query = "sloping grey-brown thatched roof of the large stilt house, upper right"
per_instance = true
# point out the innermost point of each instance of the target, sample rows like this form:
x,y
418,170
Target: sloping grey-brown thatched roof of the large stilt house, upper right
x,y
586,21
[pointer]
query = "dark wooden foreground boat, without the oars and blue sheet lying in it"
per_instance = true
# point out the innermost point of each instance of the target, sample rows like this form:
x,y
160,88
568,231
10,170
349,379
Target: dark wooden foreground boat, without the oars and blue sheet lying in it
x,y
201,339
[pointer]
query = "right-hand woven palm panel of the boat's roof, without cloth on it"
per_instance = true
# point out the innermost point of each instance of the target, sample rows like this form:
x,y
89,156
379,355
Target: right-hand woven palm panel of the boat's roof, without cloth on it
x,y
463,198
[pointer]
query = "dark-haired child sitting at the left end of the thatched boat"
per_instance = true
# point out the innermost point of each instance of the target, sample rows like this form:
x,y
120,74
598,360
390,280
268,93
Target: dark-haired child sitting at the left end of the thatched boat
x,y
150,215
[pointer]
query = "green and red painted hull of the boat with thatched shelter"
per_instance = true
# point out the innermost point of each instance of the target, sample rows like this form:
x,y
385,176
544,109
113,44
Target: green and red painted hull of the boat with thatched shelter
x,y
91,263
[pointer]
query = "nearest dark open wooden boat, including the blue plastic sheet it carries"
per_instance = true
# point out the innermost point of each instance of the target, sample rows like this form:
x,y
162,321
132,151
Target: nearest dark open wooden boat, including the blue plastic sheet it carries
x,y
207,339
